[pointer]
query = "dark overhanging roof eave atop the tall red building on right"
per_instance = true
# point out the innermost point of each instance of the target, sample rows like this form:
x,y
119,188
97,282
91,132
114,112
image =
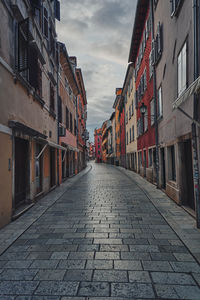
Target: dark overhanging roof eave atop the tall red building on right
x,y
140,17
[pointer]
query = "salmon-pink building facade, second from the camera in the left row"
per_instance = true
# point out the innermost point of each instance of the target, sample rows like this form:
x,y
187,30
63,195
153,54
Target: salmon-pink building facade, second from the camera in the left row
x,y
67,117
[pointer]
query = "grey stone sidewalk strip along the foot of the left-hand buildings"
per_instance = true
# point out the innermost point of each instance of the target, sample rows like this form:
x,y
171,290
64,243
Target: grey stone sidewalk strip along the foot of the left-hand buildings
x,y
11,232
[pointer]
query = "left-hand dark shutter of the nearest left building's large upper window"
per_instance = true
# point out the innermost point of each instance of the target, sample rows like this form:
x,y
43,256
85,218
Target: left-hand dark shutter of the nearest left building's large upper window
x,y
23,45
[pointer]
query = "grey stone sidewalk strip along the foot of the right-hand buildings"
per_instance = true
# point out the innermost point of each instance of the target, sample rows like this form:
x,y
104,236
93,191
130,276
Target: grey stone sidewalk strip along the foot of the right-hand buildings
x,y
182,223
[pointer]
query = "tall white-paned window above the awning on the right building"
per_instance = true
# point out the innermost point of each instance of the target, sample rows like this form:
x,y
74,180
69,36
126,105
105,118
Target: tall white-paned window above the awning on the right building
x,y
182,69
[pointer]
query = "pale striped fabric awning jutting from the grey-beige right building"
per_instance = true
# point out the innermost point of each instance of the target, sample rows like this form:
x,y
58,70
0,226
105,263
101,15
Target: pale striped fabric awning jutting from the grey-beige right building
x,y
194,88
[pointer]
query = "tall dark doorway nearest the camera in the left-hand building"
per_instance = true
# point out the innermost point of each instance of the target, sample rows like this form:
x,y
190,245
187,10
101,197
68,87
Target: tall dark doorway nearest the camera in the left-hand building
x,y
21,171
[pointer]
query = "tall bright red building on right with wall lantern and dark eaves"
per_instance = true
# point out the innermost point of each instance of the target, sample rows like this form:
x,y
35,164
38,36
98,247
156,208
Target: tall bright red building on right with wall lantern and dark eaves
x,y
141,55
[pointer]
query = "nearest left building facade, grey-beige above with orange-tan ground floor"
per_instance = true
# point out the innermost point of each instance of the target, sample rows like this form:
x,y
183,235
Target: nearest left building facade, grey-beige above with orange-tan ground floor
x,y
28,100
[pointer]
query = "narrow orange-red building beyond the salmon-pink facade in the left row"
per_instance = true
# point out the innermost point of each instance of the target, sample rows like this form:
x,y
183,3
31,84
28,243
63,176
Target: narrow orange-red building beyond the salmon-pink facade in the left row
x,y
81,120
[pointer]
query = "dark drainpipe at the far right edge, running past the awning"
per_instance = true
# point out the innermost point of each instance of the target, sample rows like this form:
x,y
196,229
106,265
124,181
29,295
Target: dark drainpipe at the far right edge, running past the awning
x,y
195,138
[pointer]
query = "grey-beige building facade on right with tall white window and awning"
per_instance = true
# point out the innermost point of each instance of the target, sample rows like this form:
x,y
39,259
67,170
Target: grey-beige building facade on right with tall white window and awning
x,y
175,73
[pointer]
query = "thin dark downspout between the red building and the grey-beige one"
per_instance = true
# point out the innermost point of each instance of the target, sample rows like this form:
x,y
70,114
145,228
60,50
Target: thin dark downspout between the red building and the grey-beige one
x,y
155,100
